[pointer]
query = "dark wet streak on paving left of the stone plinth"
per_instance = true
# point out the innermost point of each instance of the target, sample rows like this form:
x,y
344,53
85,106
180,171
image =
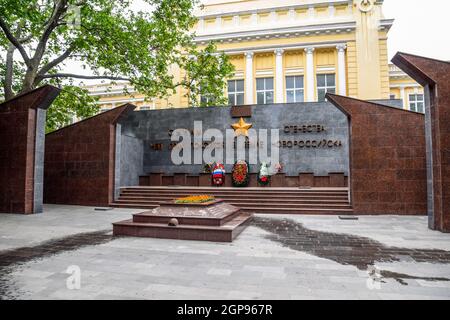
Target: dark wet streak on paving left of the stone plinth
x,y
10,260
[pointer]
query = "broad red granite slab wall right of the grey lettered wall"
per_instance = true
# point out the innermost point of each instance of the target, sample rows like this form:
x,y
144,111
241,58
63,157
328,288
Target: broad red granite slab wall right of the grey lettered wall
x,y
387,158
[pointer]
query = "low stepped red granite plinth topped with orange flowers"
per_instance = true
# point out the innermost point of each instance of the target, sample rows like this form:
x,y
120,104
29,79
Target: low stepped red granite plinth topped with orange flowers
x,y
213,221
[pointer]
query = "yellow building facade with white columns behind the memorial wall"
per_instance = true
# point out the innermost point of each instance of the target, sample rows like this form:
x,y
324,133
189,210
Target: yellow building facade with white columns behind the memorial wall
x,y
292,51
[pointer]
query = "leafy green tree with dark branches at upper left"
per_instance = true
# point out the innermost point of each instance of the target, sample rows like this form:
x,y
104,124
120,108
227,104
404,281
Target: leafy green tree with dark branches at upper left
x,y
114,42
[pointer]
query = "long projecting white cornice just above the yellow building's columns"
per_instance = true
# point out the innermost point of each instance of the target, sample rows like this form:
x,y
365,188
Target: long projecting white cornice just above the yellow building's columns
x,y
286,32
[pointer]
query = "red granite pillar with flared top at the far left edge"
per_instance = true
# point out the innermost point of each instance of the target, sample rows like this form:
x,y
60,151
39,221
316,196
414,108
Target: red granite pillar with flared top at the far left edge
x,y
22,129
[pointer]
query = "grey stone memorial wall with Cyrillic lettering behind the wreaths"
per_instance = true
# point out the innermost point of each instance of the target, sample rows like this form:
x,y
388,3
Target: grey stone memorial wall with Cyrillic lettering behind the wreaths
x,y
313,137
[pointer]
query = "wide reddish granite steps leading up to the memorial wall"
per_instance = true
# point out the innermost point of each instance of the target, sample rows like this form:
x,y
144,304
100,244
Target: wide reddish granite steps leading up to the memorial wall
x,y
254,200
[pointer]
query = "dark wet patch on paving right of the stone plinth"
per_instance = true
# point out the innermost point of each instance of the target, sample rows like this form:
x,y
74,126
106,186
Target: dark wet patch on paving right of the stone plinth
x,y
347,249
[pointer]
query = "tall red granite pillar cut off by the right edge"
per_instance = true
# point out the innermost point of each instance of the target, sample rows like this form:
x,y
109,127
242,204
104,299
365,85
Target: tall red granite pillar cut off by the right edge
x,y
434,75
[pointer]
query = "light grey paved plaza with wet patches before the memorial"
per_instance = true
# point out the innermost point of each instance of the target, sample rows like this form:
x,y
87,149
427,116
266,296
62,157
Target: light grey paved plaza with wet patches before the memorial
x,y
276,257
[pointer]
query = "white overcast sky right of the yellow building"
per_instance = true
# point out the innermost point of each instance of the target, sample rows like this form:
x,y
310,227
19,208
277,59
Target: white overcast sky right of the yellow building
x,y
421,27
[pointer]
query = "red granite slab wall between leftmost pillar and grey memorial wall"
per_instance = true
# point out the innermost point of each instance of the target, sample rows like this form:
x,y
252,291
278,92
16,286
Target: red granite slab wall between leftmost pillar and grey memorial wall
x,y
80,161
